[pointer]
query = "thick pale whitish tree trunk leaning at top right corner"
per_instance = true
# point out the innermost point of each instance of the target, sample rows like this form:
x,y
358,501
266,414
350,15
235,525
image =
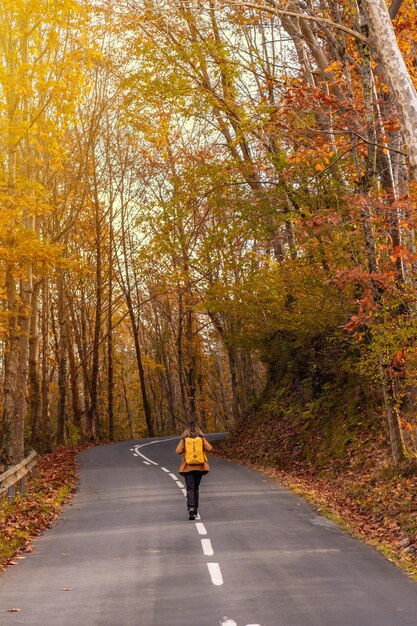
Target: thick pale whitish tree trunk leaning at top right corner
x,y
385,47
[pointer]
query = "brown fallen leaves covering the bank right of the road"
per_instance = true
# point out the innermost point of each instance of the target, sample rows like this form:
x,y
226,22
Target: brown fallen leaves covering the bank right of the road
x,y
361,493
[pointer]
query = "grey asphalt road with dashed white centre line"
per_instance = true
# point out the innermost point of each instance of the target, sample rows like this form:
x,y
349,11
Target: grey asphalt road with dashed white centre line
x,y
125,554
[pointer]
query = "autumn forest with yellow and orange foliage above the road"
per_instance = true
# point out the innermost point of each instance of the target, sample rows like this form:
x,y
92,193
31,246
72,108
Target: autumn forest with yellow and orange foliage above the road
x,y
208,212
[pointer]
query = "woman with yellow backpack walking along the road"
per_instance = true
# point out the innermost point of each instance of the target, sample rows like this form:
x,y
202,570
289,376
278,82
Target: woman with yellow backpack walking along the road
x,y
193,447
